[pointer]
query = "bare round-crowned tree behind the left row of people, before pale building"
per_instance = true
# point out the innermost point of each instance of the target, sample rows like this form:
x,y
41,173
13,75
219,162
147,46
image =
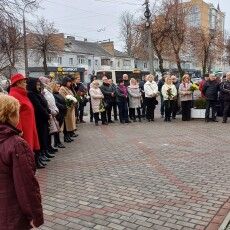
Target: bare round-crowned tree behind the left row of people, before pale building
x,y
45,41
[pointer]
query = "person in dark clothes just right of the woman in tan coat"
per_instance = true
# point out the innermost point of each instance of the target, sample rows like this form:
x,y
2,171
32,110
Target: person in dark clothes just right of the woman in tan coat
x,y
82,92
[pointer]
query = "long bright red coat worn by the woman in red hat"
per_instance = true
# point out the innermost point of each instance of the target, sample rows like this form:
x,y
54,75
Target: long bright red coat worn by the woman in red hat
x,y
27,122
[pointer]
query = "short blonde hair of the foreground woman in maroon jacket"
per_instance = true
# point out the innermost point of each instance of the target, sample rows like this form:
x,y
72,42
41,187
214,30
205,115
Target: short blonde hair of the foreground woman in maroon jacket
x,y
9,106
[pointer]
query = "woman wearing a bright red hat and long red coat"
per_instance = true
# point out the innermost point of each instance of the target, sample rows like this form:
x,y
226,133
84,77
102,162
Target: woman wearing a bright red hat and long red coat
x,y
27,122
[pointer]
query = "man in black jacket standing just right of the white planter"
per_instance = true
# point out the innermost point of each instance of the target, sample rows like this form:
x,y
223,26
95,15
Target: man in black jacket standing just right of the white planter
x,y
210,91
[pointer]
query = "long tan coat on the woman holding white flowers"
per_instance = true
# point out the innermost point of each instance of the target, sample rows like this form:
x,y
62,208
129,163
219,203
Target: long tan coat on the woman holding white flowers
x,y
70,119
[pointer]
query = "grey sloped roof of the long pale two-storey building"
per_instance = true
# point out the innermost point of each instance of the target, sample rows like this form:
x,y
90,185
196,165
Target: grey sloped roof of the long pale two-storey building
x,y
85,47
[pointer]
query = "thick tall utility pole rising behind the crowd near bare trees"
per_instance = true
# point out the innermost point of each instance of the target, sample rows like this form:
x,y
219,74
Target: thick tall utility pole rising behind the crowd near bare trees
x,y
147,15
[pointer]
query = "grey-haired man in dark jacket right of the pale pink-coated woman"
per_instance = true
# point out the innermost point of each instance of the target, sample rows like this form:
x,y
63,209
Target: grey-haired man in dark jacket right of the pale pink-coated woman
x,y
109,97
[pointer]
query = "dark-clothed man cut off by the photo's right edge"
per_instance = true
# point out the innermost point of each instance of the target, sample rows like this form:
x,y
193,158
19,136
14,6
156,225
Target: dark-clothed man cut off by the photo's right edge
x,y
225,90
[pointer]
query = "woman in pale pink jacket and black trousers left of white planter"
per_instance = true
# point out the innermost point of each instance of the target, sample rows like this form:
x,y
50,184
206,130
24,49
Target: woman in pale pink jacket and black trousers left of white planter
x,y
186,97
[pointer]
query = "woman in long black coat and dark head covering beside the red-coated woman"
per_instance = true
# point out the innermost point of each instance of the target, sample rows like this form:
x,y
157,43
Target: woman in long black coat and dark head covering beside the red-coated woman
x,y
42,115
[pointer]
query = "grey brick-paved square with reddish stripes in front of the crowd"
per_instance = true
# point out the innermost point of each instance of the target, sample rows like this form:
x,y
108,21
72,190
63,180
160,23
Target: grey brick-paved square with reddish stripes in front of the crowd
x,y
140,176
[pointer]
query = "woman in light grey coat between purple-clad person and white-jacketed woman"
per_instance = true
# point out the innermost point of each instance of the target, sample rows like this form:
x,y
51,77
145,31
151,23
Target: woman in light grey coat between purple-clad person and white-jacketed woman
x,y
134,99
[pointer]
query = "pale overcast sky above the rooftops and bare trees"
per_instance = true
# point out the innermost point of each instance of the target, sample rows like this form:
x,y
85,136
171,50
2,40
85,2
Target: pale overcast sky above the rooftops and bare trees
x,y
98,20
